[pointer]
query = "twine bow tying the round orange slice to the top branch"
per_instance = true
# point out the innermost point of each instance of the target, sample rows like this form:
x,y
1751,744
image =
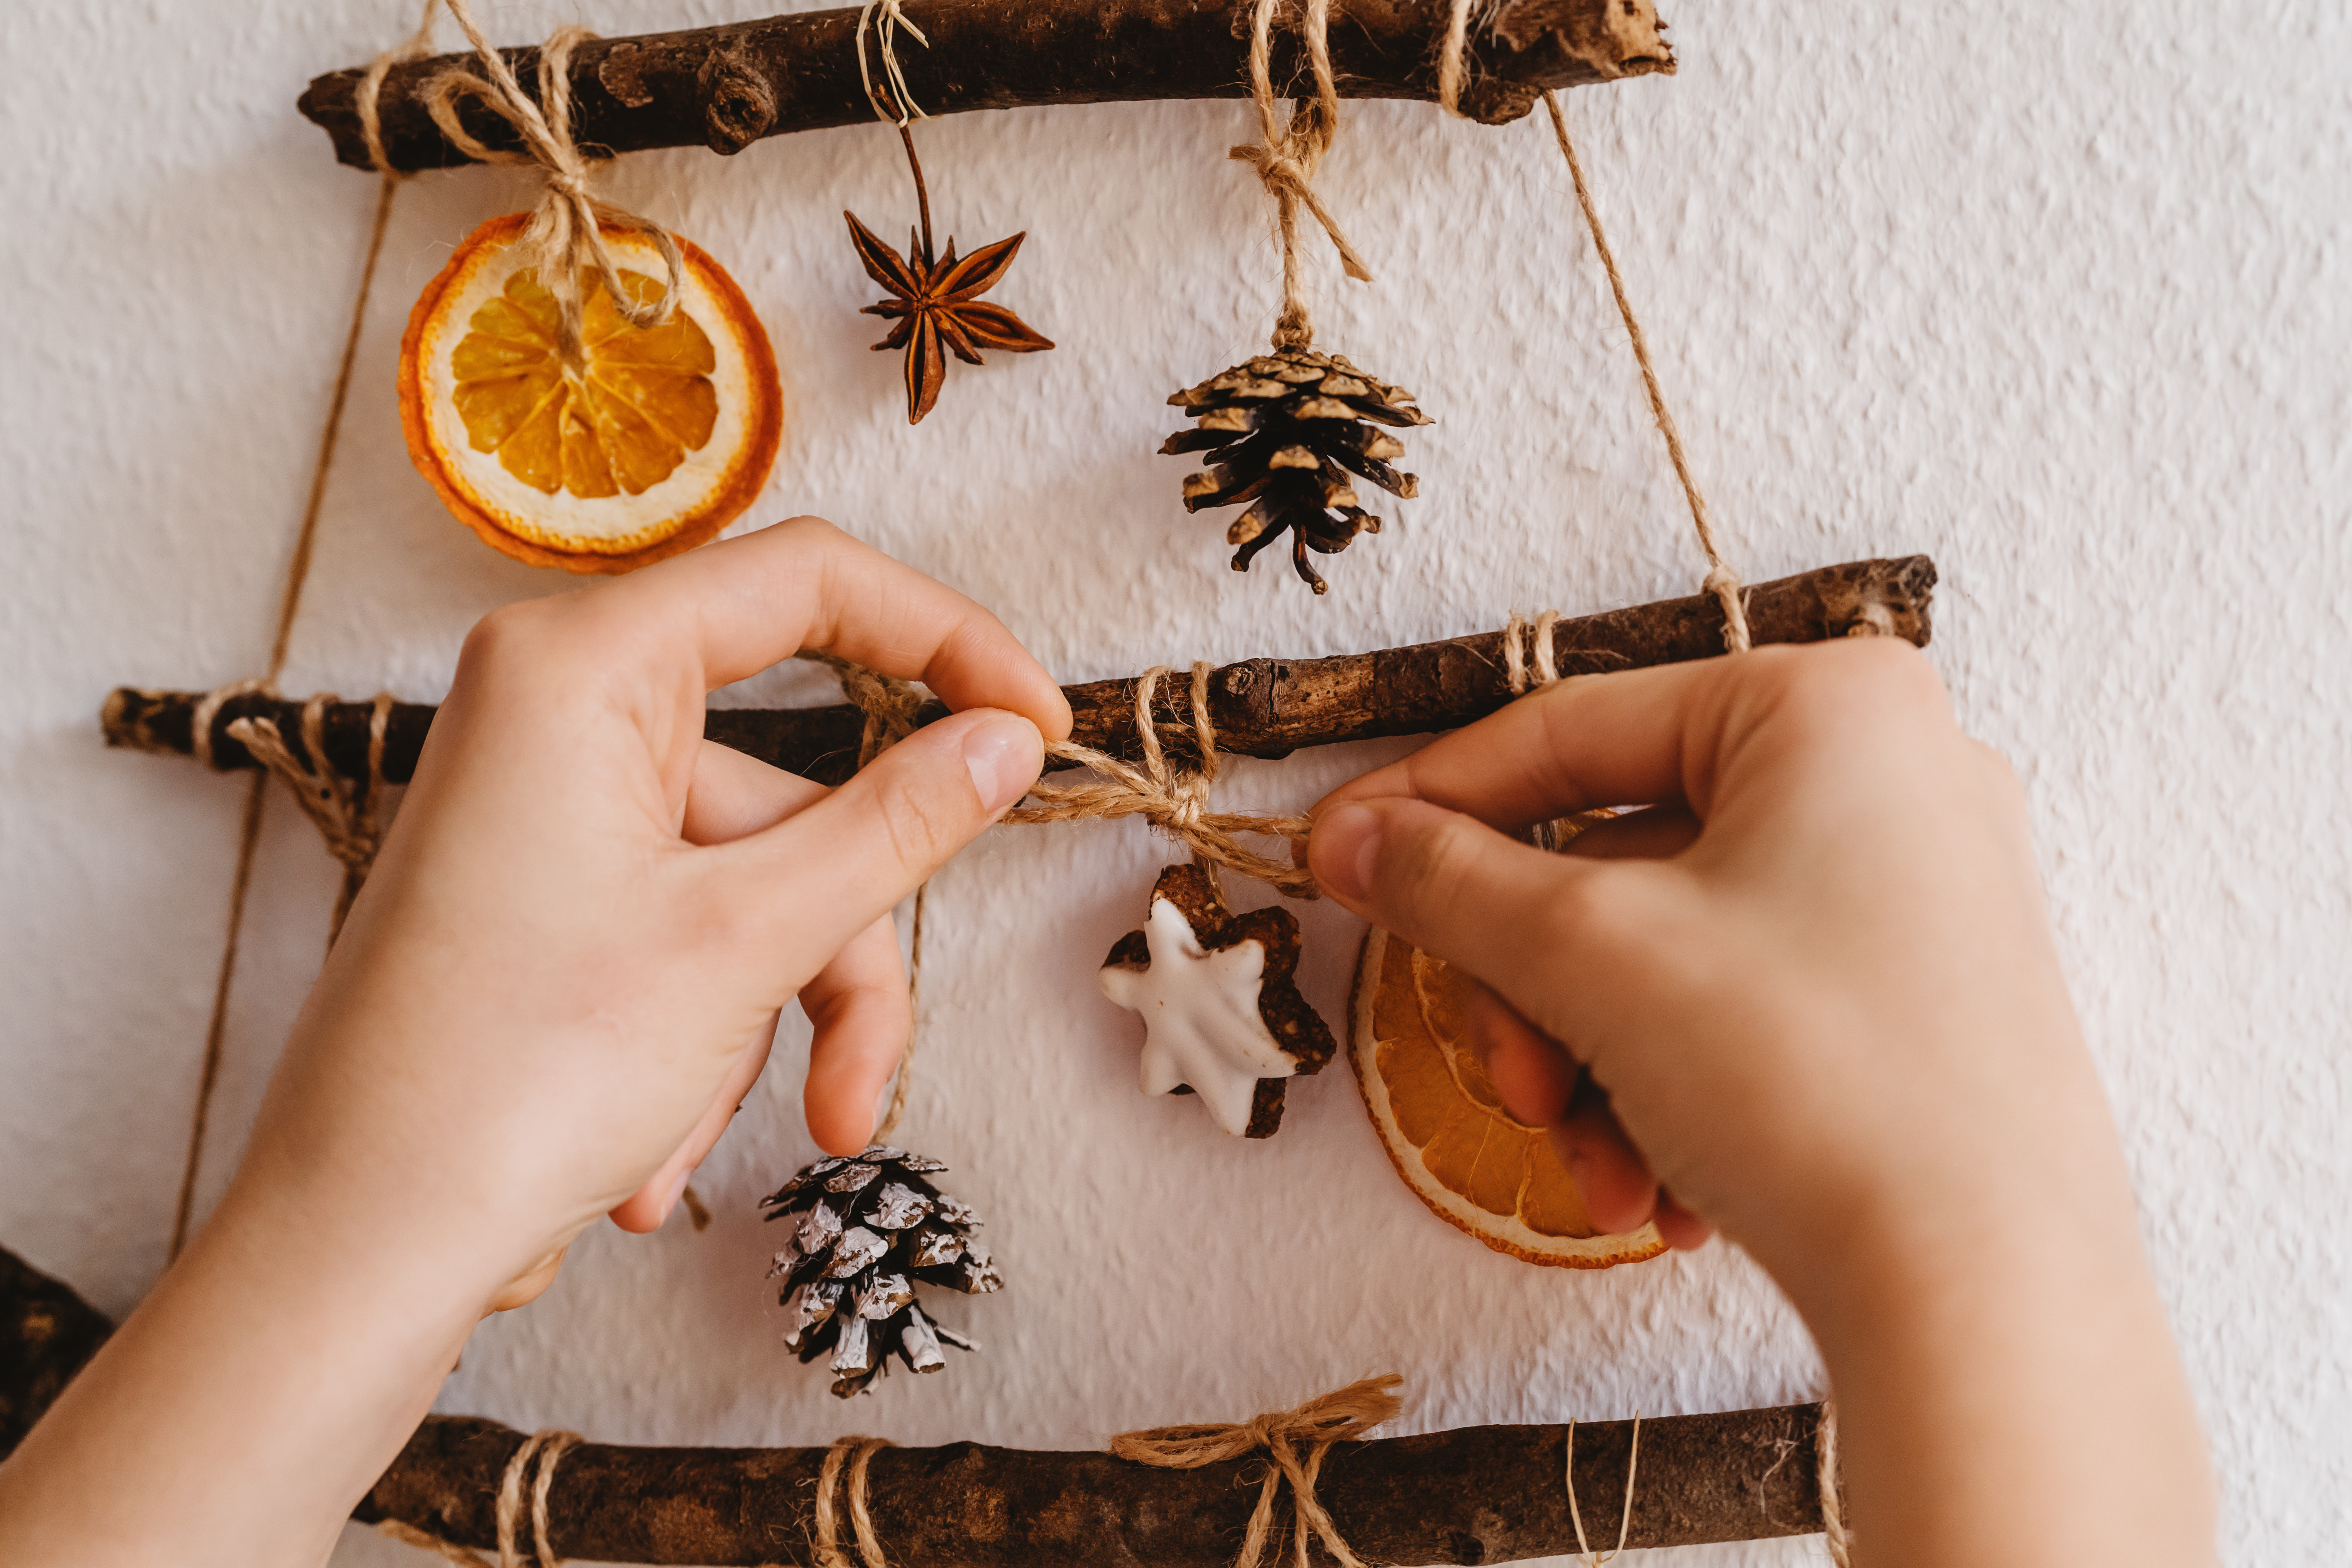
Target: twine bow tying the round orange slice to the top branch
x,y
566,232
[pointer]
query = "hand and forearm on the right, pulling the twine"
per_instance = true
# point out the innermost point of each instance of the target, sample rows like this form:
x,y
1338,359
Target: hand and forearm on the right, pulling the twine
x,y
1810,998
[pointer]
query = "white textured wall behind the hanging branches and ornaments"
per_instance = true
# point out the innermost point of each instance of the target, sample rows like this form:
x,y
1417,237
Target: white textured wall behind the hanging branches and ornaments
x,y
2052,293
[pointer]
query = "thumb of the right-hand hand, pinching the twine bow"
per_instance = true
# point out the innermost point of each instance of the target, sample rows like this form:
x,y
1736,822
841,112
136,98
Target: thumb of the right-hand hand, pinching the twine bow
x,y
1455,887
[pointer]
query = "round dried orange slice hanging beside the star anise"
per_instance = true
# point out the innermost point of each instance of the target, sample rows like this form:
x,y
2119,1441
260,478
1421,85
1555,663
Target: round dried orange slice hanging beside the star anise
x,y
655,443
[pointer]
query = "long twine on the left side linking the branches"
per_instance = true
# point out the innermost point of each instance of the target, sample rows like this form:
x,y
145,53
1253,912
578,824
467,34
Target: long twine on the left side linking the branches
x,y
281,641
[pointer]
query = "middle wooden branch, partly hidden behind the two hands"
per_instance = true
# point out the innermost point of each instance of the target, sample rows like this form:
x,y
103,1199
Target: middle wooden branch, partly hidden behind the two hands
x,y
1259,706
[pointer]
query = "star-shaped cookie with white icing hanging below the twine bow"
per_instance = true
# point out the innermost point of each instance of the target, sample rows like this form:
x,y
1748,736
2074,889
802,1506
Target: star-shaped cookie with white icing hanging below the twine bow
x,y
1222,1012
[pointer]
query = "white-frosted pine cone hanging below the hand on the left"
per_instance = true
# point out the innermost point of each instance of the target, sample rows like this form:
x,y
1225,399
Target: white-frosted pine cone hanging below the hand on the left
x,y
869,1231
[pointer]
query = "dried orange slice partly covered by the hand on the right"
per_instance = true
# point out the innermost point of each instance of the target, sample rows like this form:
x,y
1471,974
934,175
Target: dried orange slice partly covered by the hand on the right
x,y
1445,1127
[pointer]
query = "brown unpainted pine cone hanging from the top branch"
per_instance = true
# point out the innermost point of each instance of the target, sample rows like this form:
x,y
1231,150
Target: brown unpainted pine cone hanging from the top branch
x,y
1290,438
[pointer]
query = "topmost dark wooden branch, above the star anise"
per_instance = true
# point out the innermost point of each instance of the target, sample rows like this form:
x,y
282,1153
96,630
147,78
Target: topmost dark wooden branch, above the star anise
x,y
730,86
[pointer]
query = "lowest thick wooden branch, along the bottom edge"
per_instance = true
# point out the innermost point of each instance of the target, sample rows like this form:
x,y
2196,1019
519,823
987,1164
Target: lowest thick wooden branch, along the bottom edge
x,y
1466,1496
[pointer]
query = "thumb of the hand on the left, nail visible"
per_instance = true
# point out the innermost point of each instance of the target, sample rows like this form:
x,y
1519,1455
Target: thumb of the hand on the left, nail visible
x,y
846,862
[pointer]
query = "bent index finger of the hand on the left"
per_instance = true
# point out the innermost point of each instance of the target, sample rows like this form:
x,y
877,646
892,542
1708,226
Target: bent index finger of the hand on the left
x,y
749,603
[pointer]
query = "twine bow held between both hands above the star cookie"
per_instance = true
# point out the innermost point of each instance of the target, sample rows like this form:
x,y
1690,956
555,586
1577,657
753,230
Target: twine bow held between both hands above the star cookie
x,y
1170,798
